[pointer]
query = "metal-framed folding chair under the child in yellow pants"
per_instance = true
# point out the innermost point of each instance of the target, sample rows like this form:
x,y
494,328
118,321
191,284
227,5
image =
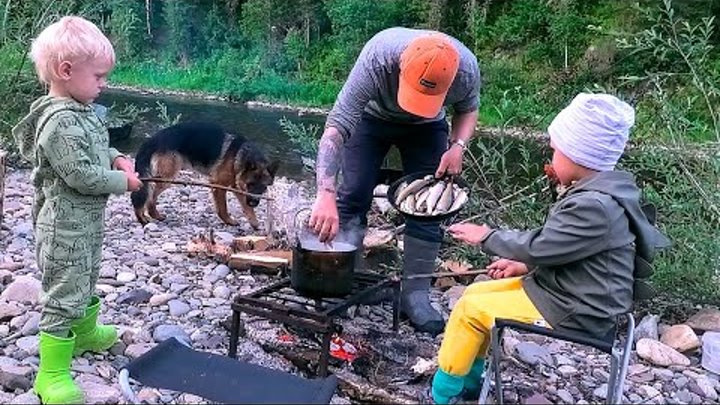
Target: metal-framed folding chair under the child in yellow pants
x,y
619,354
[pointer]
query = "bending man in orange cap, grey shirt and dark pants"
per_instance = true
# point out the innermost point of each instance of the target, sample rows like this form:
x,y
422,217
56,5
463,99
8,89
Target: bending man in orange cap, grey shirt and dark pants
x,y
396,95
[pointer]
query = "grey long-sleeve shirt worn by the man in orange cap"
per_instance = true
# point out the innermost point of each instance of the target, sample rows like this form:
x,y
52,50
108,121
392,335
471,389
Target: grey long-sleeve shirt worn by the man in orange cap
x,y
372,85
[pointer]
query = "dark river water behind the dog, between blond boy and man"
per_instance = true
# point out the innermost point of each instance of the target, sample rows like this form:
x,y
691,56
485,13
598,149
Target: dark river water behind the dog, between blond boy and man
x,y
259,125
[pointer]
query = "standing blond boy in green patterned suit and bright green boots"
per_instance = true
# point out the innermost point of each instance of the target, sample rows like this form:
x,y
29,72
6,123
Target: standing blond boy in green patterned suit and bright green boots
x,y
74,172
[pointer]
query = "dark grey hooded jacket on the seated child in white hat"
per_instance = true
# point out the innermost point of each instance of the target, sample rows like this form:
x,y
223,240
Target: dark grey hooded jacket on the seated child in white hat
x,y
585,253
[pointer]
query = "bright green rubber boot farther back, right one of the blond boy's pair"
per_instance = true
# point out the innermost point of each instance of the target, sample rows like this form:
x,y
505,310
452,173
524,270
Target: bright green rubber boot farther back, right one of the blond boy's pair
x,y
92,336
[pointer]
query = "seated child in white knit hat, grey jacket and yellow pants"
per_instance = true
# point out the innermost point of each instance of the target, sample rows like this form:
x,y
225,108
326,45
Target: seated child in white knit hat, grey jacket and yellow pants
x,y
576,272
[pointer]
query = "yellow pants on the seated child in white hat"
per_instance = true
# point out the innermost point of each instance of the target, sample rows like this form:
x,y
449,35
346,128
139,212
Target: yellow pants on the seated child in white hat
x,y
467,334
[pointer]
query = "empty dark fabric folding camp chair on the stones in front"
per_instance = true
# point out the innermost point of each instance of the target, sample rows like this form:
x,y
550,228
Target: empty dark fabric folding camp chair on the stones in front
x,y
173,365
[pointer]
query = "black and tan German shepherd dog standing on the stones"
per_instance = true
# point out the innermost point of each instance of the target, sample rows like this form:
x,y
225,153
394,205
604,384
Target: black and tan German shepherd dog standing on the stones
x,y
228,160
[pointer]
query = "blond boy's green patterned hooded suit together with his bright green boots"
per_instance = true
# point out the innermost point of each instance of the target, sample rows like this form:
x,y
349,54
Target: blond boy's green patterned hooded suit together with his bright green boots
x,y
73,177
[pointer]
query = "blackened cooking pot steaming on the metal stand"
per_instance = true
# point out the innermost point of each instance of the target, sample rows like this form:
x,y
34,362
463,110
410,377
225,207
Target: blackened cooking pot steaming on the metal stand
x,y
320,270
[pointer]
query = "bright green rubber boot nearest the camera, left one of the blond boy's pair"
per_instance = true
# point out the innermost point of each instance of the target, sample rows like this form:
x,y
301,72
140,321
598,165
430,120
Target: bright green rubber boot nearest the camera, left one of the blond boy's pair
x,y
53,382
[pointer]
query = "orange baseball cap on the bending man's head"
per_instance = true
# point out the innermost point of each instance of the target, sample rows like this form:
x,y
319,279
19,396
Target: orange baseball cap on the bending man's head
x,y
427,69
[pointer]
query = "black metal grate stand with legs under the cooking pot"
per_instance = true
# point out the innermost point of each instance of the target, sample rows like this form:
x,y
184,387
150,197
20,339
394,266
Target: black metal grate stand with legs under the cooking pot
x,y
279,302
